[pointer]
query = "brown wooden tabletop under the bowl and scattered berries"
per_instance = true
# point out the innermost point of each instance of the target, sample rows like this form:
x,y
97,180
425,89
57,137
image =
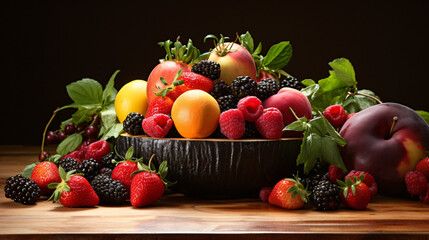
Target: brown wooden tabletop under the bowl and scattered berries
x,y
178,217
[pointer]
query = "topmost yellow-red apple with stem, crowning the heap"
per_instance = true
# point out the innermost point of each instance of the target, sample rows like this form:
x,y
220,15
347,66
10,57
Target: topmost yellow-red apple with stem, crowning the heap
x,y
234,61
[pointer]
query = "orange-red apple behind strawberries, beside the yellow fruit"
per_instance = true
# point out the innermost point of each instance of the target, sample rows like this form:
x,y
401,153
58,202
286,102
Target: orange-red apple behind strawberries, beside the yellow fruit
x,y
167,70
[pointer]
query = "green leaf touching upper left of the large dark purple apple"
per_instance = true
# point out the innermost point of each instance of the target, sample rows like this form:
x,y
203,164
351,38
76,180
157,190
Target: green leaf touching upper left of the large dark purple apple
x,y
355,103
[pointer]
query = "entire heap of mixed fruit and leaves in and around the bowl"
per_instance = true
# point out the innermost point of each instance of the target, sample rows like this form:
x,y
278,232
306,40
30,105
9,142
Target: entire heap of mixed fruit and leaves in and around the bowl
x,y
353,145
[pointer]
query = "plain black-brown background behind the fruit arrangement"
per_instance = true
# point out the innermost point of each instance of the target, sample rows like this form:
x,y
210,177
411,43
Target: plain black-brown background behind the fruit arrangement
x,y
46,45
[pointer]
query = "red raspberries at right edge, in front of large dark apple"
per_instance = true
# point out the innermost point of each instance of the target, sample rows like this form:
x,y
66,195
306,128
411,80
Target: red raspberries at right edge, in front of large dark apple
x,y
417,181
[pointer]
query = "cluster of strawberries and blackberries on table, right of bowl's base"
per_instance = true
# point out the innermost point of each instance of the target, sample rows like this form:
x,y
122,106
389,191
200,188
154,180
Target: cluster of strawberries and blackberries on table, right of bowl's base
x,y
324,189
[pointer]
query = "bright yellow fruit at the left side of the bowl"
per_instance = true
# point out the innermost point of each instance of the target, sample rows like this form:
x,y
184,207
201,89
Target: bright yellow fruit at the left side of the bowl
x,y
131,98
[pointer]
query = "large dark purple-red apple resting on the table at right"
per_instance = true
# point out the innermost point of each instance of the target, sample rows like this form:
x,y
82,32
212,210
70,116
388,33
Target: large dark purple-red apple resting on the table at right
x,y
384,147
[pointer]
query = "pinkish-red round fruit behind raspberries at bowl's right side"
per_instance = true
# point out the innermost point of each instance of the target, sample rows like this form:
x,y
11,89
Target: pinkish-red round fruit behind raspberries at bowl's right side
x,y
288,98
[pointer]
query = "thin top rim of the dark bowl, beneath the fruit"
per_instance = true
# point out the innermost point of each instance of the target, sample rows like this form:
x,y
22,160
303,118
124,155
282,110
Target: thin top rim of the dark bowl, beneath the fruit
x,y
211,139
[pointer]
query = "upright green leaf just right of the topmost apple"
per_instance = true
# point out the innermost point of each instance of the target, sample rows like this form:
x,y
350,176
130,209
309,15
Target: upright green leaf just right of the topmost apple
x,y
278,56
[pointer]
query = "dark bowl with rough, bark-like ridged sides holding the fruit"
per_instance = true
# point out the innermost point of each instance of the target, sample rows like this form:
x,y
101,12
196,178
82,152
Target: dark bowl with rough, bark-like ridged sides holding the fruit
x,y
218,168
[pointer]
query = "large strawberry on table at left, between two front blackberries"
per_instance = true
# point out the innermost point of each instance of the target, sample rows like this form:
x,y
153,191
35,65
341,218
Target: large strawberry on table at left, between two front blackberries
x,y
73,191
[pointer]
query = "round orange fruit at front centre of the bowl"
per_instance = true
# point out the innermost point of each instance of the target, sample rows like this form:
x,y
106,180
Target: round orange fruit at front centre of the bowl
x,y
195,114
